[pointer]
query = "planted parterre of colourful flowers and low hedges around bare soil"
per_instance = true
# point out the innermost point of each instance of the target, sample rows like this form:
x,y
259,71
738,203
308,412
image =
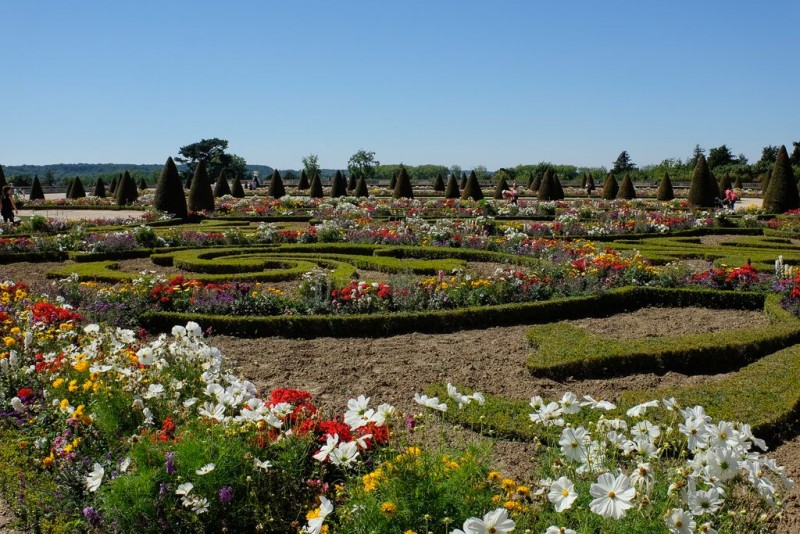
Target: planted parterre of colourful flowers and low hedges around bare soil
x,y
120,415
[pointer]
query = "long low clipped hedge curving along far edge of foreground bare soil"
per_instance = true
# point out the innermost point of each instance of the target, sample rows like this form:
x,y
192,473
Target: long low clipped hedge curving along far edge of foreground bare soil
x,y
437,321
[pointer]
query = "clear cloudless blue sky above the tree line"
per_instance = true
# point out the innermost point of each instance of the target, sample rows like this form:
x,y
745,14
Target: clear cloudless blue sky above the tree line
x,y
449,82
